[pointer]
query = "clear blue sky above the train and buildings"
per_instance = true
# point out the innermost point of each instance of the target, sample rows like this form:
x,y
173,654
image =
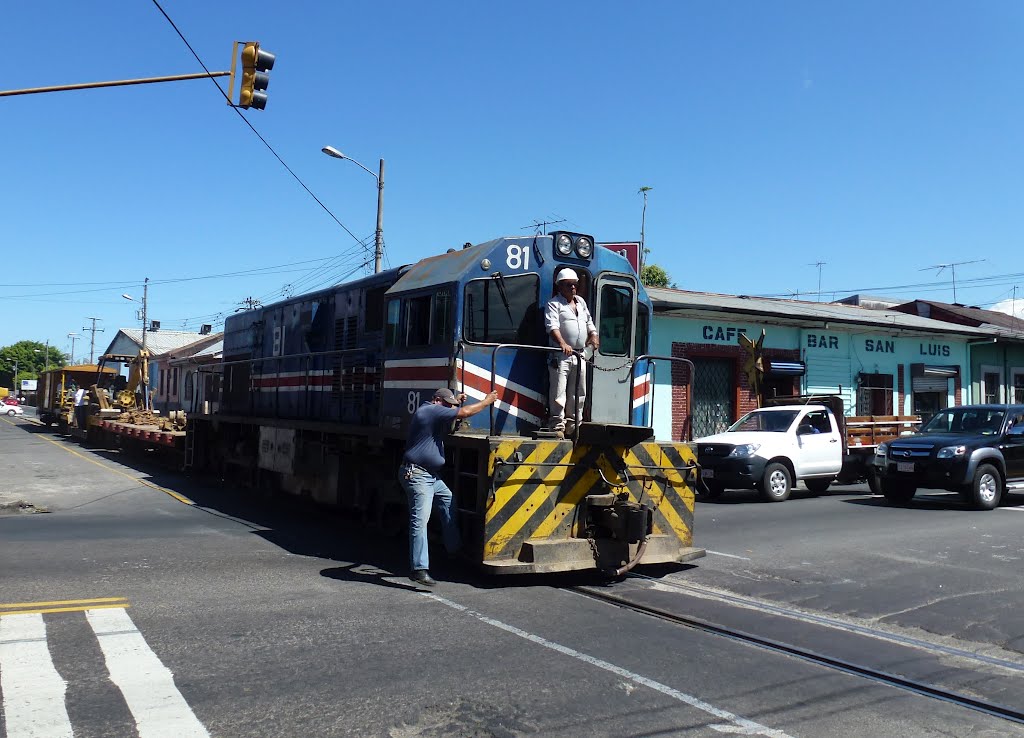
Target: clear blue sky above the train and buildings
x,y
879,138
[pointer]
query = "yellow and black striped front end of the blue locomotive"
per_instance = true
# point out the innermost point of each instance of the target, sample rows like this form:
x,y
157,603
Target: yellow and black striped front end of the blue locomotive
x,y
553,506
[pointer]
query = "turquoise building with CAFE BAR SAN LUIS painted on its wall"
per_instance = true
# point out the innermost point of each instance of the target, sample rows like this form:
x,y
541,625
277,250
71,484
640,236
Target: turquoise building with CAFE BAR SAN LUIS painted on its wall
x,y
881,358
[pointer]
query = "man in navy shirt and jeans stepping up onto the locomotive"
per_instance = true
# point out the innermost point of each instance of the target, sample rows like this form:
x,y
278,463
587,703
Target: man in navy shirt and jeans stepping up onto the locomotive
x,y
419,472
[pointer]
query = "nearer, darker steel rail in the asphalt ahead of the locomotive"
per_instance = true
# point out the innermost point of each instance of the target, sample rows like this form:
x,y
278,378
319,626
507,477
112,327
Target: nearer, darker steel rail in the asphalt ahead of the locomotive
x,y
909,685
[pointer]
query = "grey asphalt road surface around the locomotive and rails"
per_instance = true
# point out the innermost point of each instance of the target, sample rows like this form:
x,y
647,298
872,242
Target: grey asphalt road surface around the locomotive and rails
x,y
274,622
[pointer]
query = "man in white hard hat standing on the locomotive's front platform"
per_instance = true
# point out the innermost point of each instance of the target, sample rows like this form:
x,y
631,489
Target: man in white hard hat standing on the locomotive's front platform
x,y
572,329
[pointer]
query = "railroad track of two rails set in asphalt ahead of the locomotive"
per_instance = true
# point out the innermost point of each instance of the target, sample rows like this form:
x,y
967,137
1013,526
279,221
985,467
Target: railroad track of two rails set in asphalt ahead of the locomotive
x,y
846,667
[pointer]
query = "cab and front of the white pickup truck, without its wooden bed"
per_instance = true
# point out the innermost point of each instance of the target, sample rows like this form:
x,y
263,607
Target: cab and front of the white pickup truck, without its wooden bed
x,y
771,450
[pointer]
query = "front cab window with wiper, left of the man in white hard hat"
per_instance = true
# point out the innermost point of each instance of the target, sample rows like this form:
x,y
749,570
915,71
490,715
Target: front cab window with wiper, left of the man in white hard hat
x,y
503,310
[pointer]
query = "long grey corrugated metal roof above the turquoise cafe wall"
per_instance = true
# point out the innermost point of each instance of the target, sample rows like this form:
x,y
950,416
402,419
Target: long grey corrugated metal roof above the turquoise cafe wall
x,y
797,313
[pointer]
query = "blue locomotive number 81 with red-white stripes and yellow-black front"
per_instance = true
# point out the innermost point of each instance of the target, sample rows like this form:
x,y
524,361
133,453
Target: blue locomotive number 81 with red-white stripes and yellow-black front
x,y
318,393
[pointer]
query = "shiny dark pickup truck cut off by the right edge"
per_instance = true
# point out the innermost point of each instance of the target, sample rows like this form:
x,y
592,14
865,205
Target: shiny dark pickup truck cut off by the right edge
x,y
977,451
